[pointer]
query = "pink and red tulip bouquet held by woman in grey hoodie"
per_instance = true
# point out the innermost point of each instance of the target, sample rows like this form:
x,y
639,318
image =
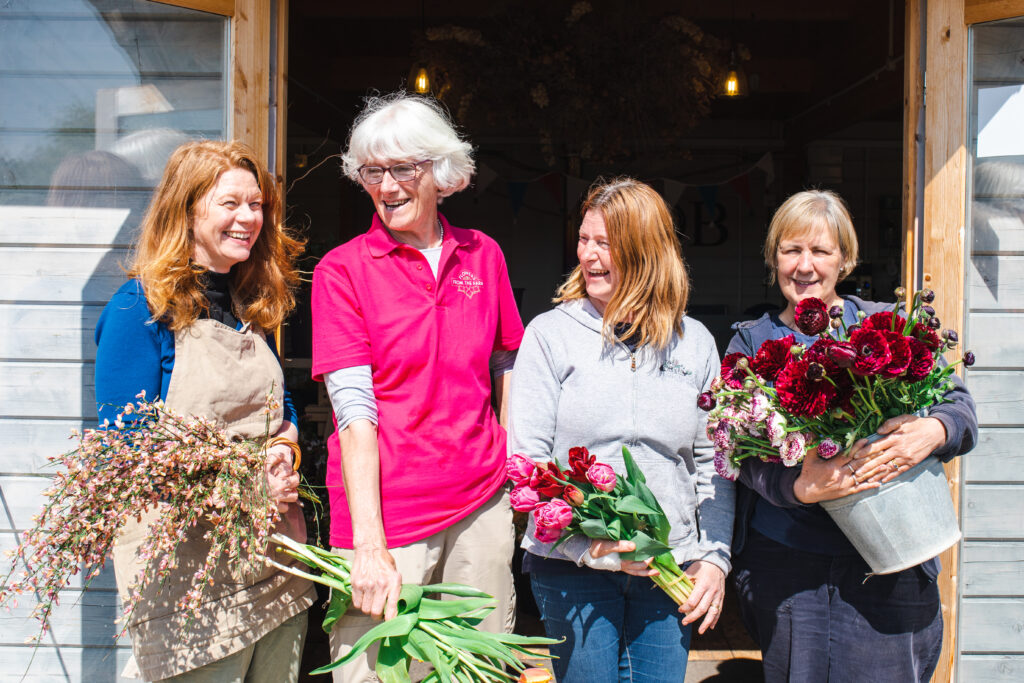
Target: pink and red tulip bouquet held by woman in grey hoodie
x,y
589,499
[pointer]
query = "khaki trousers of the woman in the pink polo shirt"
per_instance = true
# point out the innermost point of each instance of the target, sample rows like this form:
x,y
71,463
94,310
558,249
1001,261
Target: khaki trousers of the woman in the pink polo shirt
x,y
476,551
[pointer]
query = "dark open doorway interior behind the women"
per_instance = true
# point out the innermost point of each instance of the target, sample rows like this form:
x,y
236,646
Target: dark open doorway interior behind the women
x,y
824,109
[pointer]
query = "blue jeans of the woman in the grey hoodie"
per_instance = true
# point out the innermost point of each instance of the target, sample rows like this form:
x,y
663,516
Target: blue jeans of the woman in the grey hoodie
x,y
617,628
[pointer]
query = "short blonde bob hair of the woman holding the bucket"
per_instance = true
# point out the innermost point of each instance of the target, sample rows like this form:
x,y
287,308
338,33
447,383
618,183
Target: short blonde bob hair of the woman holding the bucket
x,y
808,212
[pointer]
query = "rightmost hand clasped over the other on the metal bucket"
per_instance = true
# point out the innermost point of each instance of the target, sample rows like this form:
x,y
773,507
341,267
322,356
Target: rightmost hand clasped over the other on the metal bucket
x,y
910,440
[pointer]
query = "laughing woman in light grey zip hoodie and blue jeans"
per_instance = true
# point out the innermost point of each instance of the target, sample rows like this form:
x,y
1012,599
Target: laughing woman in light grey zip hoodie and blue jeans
x,y
619,363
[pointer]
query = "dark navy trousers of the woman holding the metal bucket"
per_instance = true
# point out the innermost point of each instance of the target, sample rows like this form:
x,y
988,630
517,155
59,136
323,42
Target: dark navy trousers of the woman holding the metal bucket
x,y
817,619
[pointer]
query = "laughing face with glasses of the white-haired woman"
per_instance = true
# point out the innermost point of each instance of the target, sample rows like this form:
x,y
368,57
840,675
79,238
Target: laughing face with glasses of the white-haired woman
x,y
409,209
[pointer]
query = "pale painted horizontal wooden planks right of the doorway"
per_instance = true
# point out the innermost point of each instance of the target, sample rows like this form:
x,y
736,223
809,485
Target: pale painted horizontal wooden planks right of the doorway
x,y
992,615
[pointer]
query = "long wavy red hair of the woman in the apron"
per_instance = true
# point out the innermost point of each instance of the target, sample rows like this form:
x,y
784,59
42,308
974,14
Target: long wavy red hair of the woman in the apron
x,y
263,286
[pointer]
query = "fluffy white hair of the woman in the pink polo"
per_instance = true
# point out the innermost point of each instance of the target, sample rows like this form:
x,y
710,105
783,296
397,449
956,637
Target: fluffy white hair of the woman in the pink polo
x,y
404,127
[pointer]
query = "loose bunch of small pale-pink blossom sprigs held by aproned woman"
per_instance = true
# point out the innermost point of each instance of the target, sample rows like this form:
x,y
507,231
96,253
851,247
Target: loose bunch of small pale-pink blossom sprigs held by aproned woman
x,y
189,465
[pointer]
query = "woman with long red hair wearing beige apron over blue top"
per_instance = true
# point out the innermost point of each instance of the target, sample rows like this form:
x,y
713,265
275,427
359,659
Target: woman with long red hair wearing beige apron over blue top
x,y
212,276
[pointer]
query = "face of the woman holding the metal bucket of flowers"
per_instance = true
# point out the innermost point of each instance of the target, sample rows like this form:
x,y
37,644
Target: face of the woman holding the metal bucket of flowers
x,y
809,266
